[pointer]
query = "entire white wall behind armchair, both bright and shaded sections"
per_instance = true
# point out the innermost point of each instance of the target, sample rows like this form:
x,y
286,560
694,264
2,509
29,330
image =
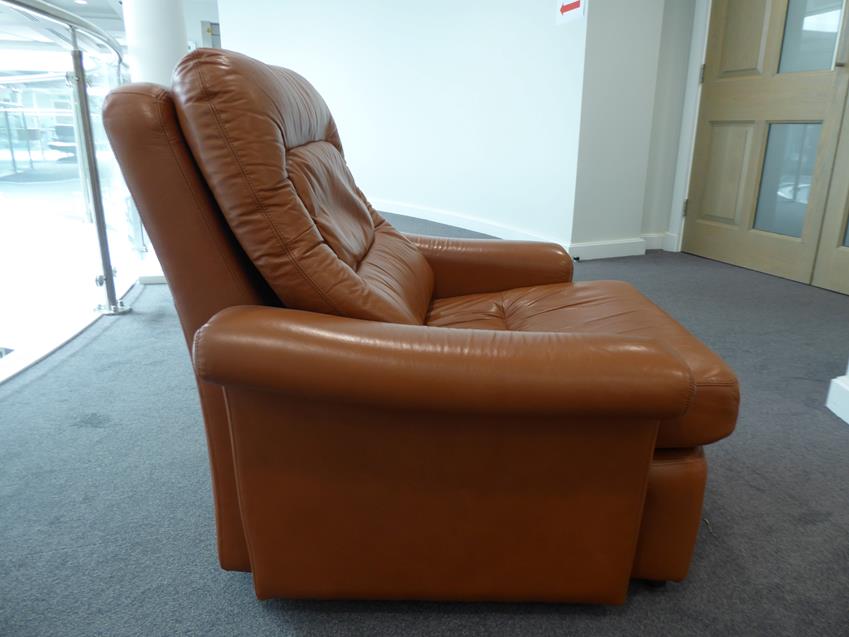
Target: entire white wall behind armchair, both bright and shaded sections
x,y
490,116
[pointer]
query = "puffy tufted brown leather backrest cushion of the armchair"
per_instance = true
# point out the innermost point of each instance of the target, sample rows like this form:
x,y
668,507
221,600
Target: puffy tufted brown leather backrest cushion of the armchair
x,y
269,149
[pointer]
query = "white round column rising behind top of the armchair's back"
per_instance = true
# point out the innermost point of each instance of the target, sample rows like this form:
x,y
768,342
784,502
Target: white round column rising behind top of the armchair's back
x,y
156,38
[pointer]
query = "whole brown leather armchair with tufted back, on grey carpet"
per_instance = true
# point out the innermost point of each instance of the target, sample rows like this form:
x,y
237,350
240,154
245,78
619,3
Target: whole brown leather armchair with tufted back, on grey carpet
x,y
397,416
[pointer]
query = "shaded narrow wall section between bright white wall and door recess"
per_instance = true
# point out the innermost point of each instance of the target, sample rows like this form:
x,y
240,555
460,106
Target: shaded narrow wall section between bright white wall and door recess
x,y
620,78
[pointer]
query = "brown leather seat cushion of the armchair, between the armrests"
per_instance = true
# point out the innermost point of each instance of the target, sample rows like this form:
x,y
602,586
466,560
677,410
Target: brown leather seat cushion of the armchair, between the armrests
x,y
608,307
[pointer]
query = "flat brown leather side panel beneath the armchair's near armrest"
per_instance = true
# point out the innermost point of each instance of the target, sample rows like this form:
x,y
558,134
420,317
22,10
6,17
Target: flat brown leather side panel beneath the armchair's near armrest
x,y
424,506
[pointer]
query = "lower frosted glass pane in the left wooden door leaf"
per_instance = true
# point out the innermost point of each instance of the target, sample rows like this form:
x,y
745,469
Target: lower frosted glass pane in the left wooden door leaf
x,y
791,153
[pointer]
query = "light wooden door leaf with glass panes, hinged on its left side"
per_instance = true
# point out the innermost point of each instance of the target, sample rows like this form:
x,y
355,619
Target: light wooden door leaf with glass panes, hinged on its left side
x,y
766,139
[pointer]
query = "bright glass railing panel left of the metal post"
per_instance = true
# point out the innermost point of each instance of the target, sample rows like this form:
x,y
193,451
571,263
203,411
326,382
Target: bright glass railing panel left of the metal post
x,y
50,256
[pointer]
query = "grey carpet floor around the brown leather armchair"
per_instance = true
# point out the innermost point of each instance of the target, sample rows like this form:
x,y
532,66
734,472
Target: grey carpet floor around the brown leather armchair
x,y
106,523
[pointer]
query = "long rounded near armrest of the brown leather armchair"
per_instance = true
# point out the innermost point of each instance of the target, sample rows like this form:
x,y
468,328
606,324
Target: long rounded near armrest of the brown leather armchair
x,y
338,359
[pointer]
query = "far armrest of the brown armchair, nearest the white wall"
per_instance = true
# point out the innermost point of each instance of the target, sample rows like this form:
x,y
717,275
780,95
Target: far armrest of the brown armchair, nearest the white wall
x,y
469,266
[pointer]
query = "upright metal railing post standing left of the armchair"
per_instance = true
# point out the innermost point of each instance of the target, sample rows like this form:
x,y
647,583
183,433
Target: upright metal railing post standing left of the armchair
x,y
113,304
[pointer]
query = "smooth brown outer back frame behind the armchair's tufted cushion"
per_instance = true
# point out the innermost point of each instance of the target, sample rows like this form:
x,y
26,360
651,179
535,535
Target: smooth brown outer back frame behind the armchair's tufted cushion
x,y
206,268
